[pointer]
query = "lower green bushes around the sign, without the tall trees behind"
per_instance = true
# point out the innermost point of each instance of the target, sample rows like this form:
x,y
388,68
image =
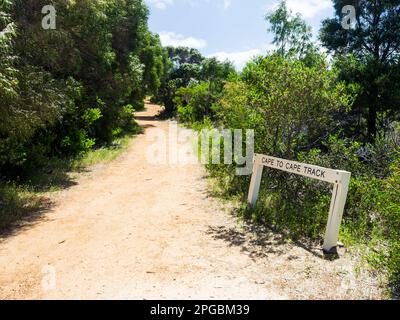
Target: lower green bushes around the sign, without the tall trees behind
x,y
293,108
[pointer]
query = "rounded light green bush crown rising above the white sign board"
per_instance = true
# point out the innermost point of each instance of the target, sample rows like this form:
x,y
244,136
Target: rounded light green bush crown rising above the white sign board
x,y
290,104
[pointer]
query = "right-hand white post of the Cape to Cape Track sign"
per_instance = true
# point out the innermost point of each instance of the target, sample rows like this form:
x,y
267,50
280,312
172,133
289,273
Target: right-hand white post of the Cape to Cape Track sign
x,y
339,196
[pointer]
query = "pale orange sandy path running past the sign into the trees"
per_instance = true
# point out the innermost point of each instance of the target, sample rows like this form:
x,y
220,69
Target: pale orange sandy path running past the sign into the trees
x,y
130,230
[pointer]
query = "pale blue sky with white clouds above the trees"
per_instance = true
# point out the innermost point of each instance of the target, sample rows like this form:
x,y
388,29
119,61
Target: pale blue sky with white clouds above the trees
x,y
227,29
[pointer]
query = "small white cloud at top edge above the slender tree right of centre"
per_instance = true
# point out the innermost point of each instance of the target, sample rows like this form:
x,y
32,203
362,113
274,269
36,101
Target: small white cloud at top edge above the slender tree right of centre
x,y
307,8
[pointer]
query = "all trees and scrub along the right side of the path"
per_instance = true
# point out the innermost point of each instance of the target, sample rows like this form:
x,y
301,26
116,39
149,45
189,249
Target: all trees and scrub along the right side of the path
x,y
339,112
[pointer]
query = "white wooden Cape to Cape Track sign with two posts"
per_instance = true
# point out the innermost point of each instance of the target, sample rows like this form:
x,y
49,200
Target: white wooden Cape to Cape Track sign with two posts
x,y
339,179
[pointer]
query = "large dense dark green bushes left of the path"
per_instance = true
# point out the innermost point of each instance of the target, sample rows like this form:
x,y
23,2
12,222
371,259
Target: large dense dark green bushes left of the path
x,y
64,91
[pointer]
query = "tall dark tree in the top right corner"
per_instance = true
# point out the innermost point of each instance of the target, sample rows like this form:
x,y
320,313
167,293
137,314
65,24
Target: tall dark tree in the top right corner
x,y
374,41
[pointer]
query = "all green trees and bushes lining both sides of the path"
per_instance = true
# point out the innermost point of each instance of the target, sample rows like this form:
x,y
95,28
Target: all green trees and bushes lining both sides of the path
x,y
70,93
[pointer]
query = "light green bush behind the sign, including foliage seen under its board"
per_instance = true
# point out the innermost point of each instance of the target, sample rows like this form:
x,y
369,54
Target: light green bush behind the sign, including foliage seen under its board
x,y
291,106
